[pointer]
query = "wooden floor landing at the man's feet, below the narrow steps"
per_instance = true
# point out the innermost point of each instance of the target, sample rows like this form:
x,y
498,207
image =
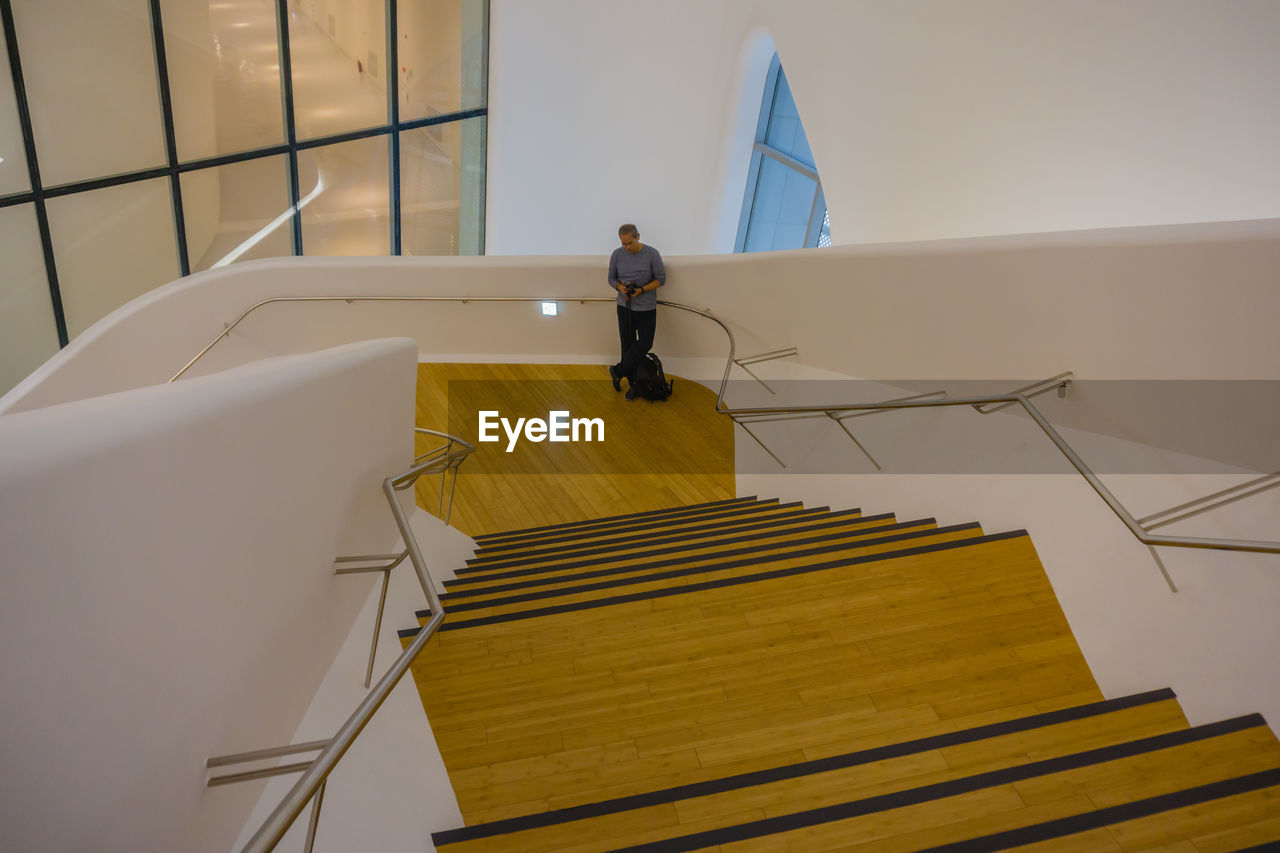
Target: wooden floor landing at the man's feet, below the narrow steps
x,y
653,455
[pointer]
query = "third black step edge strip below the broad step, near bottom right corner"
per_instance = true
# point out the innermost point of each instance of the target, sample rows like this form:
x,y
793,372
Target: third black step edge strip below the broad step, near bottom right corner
x,y
1121,814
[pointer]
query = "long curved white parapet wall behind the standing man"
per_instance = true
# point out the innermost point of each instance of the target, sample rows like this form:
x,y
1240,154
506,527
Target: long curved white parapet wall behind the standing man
x,y
1160,303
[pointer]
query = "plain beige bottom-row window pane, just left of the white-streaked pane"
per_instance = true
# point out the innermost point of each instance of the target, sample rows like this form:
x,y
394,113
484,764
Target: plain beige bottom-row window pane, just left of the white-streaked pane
x,y
112,245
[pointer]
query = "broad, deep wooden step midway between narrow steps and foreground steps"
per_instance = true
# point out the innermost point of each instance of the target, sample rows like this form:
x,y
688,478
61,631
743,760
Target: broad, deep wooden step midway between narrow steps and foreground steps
x,y
574,706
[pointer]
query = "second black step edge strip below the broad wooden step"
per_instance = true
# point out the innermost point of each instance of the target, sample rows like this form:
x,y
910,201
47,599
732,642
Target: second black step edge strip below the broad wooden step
x,y
956,787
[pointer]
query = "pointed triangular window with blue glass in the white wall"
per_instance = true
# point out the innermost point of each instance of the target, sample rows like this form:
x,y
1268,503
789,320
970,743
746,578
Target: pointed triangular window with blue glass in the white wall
x,y
784,206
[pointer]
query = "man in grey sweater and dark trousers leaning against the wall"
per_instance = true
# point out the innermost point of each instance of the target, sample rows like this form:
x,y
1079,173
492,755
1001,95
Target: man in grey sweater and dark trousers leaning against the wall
x,y
636,273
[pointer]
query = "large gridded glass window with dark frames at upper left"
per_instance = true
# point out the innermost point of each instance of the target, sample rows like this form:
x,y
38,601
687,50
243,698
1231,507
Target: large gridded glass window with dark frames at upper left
x,y
93,85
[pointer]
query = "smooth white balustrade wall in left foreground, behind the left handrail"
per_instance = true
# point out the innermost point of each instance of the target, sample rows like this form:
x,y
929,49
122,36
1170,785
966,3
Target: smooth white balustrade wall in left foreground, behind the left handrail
x,y
168,590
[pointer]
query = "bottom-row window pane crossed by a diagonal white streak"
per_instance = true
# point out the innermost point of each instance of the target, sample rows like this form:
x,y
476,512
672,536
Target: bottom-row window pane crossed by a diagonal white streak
x,y
237,212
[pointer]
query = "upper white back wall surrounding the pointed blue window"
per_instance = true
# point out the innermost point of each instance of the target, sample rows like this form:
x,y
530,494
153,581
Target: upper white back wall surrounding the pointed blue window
x,y
927,120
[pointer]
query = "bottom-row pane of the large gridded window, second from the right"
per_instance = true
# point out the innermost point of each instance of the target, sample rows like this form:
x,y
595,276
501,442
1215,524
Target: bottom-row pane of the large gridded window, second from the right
x,y
346,204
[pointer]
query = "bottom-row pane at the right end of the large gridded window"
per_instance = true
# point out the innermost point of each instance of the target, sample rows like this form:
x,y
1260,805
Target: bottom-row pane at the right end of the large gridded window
x,y
442,189
